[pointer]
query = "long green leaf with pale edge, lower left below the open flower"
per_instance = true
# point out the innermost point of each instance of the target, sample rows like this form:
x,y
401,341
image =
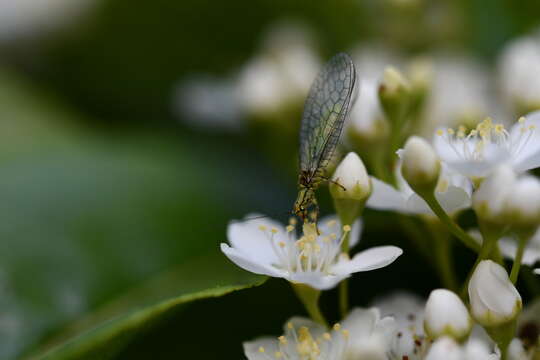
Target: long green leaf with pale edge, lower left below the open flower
x,y
104,333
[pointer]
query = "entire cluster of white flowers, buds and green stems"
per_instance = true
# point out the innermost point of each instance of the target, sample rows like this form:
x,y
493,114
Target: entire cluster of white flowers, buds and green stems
x,y
480,165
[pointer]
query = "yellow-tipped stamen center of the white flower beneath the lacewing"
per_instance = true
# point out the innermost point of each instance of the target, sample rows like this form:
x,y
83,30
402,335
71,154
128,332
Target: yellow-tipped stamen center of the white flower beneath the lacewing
x,y
312,252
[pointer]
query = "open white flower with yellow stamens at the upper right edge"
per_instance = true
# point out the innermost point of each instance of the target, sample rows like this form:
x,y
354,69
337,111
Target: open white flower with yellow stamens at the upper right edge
x,y
477,153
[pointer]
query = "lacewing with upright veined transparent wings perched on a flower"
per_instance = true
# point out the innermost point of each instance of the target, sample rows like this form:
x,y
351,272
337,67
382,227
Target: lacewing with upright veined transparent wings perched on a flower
x,y
326,108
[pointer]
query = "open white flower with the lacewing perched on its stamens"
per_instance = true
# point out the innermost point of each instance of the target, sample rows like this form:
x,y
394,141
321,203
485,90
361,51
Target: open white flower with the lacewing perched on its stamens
x,y
266,247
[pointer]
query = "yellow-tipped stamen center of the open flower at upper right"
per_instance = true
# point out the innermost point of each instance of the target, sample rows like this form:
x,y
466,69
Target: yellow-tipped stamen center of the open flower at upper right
x,y
472,145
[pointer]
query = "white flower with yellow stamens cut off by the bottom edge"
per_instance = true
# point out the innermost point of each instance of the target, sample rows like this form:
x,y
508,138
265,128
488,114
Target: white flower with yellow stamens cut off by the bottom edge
x,y
362,335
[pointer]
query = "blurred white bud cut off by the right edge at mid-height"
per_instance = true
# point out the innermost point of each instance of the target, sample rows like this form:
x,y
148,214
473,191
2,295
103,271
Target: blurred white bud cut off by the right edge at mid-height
x,y
523,203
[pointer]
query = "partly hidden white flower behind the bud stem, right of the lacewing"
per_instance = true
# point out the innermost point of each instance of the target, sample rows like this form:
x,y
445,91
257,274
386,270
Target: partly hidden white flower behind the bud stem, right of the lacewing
x,y
453,192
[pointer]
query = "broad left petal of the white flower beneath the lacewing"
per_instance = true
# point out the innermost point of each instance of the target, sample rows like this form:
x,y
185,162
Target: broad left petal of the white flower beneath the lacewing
x,y
253,242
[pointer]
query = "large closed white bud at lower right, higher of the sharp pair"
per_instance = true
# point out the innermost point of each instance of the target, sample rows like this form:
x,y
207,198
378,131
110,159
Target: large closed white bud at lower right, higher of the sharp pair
x,y
494,299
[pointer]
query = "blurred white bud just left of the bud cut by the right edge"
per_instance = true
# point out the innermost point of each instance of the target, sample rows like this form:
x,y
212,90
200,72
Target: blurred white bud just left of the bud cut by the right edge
x,y
489,201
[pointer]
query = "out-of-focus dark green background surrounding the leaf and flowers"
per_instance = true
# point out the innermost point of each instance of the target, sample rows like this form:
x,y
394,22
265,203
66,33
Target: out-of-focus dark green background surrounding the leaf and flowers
x,y
105,186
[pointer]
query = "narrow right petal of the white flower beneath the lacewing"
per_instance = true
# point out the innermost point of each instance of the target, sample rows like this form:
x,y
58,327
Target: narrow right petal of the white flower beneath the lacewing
x,y
371,259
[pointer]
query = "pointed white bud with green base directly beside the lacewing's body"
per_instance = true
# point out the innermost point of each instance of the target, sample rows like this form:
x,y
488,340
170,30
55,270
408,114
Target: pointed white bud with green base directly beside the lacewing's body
x,y
351,180
